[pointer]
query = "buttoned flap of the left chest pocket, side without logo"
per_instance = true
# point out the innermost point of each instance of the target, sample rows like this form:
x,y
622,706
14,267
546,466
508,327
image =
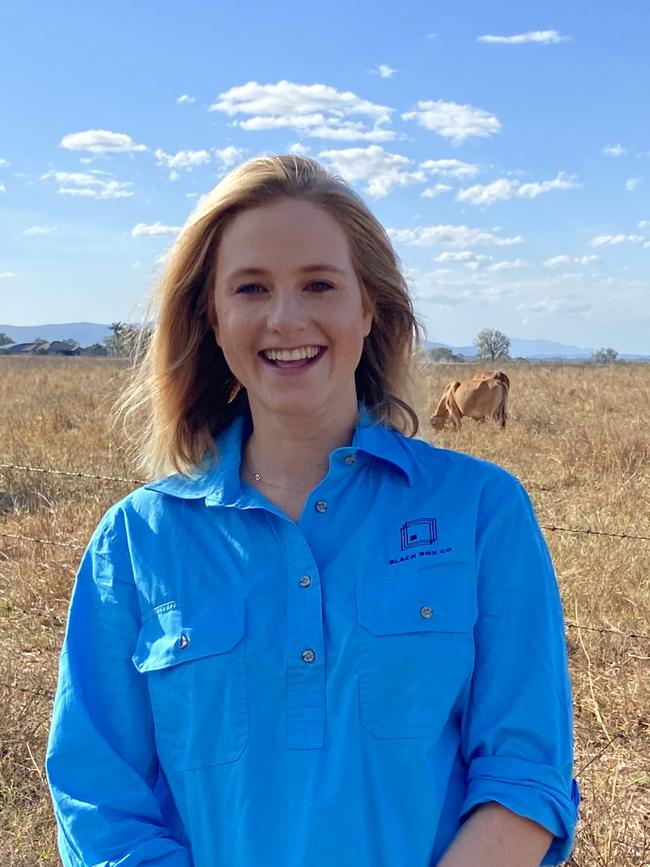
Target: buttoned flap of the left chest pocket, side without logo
x,y
177,632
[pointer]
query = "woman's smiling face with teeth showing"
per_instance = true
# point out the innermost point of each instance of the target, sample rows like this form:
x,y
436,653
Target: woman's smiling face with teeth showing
x,y
290,316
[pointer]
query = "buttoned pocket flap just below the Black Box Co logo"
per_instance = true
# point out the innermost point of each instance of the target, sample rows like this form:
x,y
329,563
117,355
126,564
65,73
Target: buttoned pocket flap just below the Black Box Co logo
x,y
439,599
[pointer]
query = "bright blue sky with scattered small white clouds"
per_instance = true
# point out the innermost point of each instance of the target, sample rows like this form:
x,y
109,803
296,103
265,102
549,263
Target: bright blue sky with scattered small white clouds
x,y
505,146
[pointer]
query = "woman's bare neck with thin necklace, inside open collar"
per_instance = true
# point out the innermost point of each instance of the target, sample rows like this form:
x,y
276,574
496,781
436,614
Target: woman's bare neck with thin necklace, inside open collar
x,y
292,452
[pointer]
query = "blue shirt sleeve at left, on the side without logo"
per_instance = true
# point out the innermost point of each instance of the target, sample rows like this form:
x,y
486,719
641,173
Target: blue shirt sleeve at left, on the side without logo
x,y
110,801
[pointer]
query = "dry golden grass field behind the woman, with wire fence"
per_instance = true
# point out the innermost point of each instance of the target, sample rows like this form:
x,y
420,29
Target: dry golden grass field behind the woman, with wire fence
x,y
577,436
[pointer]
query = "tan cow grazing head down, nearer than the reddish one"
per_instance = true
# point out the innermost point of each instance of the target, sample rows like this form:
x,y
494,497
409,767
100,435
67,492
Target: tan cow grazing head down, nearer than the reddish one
x,y
478,398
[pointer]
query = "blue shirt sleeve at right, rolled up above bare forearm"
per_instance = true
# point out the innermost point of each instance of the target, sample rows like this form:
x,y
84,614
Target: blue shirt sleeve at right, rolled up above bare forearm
x,y
517,737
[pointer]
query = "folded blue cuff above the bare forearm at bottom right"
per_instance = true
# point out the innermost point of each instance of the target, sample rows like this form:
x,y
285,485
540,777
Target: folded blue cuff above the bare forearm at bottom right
x,y
536,792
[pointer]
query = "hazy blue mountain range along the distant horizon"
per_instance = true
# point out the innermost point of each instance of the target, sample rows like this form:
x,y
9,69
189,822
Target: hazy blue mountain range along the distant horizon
x,y
87,333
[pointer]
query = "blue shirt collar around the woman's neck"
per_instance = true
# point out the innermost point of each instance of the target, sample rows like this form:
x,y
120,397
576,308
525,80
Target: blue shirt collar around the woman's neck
x,y
220,485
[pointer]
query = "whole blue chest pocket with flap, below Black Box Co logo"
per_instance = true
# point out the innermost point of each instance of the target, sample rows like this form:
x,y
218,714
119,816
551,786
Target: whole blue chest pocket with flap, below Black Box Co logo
x,y
416,649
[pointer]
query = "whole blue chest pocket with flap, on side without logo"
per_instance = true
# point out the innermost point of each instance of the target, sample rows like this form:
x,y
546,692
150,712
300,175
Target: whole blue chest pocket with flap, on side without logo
x,y
194,657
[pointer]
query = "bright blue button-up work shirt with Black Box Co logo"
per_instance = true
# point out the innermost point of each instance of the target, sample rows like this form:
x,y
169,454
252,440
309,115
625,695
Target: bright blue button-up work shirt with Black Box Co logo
x,y
238,689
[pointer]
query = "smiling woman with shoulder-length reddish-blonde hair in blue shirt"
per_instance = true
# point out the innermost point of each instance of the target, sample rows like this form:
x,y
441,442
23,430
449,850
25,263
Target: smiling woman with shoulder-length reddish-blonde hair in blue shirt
x,y
319,641
